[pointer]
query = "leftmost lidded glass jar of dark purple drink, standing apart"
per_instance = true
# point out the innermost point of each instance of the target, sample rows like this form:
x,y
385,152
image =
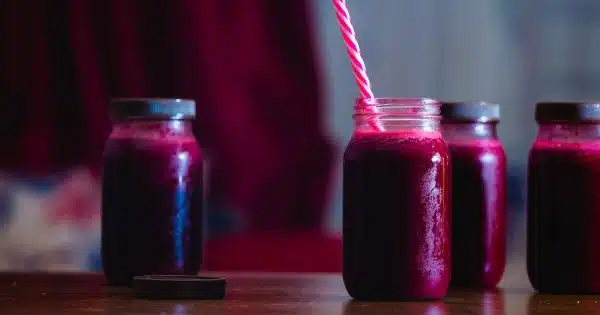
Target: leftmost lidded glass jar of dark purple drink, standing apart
x,y
151,191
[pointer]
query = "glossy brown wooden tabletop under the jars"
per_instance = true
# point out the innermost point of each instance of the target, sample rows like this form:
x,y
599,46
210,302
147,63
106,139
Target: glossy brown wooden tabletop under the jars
x,y
263,294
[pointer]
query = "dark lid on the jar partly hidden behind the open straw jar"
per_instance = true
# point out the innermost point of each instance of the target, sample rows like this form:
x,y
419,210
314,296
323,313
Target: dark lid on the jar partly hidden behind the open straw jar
x,y
465,112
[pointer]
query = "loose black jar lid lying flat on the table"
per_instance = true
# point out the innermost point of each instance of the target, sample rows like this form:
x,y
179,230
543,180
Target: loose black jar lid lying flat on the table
x,y
179,287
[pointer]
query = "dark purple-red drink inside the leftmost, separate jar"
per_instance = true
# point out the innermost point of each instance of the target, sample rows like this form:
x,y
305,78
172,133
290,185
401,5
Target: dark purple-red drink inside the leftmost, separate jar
x,y
152,208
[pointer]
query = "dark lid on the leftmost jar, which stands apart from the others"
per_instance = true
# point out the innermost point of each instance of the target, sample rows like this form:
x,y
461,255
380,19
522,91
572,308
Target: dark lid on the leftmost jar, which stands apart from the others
x,y
152,109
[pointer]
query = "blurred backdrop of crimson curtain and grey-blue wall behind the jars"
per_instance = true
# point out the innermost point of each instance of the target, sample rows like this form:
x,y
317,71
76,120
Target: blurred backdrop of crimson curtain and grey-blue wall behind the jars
x,y
275,89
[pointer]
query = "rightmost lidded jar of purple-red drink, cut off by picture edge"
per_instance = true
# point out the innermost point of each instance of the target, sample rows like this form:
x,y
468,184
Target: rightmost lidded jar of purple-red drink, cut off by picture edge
x,y
563,203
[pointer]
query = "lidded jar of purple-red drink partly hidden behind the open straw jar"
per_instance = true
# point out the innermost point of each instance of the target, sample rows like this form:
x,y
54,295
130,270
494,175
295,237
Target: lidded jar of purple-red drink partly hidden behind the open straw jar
x,y
478,193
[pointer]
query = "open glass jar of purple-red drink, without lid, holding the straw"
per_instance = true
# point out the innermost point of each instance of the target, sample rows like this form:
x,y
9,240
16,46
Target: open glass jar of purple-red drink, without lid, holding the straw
x,y
396,220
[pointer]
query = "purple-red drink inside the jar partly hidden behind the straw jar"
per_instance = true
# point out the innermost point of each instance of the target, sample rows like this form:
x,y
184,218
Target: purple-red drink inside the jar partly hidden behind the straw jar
x,y
478,213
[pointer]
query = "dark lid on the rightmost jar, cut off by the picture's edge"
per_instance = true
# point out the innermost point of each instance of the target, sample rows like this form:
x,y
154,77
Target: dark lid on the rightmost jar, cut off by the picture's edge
x,y
567,112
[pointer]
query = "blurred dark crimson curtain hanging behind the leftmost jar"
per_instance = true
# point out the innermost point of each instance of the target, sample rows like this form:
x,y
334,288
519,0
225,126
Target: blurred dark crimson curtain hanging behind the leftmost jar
x,y
249,64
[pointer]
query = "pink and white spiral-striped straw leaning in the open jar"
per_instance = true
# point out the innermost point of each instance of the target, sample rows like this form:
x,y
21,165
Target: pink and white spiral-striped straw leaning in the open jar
x,y
353,50
